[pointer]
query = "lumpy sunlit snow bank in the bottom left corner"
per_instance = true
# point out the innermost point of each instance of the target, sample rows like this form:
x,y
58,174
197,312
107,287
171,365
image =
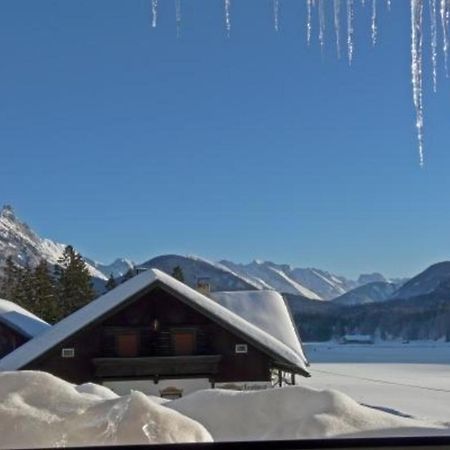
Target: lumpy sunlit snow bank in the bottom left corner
x,y
38,410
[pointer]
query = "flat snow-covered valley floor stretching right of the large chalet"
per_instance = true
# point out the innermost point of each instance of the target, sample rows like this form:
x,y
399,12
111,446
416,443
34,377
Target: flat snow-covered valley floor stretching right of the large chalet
x,y
412,379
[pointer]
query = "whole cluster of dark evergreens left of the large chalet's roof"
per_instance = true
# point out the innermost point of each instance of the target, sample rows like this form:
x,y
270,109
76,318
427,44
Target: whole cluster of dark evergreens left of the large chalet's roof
x,y
51,292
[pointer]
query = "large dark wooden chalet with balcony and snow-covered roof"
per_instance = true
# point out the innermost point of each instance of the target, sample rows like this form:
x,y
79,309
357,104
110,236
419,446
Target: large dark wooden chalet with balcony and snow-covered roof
x,y
155,329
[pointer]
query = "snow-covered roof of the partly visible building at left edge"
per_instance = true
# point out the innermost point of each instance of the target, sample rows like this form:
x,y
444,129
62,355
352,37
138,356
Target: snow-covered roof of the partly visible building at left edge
x,y
21,320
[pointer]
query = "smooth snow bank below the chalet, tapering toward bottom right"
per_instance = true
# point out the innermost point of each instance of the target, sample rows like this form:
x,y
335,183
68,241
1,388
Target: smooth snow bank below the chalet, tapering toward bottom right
x,y
292,413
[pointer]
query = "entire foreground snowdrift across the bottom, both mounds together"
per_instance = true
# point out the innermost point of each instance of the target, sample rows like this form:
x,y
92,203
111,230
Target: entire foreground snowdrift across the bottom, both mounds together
x,y
39,410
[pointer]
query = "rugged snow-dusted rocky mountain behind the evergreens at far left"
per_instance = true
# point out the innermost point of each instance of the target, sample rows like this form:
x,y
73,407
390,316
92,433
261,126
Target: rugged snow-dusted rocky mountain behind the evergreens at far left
x,y
20,242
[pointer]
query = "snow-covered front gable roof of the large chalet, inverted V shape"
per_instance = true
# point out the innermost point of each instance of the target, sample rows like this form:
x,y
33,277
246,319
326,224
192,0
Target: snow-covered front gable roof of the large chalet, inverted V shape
x,y
280,351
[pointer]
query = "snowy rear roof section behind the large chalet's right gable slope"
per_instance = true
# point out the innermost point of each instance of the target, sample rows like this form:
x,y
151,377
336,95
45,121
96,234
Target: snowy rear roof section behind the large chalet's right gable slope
x,y
265,309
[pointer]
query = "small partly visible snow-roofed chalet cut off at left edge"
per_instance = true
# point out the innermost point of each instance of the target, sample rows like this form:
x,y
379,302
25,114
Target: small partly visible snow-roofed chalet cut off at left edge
x,y
17,326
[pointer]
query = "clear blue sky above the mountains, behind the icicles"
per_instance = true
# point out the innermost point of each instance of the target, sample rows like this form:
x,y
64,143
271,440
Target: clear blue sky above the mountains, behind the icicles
x,y
126,141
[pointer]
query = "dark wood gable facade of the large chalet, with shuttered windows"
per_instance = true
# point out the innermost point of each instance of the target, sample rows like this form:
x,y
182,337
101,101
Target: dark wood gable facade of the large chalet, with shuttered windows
x,y
154,336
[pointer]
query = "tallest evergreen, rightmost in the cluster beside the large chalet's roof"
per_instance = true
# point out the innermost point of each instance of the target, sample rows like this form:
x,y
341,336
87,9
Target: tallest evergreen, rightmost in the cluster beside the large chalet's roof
x,y
74,284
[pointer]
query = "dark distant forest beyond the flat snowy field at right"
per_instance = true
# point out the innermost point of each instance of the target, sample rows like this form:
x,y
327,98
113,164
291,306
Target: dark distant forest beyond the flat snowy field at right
x,y
422,317
